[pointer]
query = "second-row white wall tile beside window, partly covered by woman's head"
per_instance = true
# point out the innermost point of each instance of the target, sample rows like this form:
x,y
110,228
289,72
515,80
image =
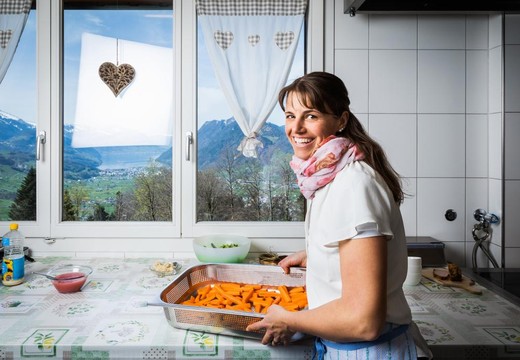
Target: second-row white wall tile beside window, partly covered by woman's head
x,y
352,67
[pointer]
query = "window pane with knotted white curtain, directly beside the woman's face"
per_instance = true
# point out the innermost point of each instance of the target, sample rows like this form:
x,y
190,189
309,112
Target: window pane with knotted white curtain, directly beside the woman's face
x,y
235,186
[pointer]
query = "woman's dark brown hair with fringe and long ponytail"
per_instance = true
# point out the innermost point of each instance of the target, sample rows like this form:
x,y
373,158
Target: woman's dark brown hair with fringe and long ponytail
x,y
328,94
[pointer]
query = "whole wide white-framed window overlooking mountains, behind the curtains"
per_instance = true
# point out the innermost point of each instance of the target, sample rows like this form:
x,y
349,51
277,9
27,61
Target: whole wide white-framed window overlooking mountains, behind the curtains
x,y
96,180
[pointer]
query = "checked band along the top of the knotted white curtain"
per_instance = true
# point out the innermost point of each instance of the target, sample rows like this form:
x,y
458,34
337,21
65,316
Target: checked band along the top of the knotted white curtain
x,y
251,7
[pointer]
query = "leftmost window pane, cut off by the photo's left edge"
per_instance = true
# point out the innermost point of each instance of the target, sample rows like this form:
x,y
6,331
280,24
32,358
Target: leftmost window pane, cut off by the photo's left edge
x,y
18,120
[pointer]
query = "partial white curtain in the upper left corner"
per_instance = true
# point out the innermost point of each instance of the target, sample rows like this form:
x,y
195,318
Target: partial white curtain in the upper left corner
x,y
13,16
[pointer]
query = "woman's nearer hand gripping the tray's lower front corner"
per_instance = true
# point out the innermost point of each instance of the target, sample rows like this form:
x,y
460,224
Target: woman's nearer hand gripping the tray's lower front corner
x,y
276,329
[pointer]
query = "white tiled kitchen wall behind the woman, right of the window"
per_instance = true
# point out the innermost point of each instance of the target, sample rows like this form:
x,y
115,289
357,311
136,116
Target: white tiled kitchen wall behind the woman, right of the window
x,y
429,88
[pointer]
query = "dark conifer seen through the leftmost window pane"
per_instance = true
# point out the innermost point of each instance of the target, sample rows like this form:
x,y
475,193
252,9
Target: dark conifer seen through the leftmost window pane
x,y
24,205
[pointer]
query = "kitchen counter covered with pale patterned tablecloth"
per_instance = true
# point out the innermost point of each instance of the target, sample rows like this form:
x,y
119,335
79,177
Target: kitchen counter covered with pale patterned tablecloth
x,y
109,319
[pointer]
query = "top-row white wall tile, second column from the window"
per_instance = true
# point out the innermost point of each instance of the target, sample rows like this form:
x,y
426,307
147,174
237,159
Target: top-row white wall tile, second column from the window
x,y
393,32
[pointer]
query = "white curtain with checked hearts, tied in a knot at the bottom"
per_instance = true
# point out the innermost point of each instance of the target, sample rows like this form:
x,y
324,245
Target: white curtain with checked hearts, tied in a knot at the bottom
x,y
251,44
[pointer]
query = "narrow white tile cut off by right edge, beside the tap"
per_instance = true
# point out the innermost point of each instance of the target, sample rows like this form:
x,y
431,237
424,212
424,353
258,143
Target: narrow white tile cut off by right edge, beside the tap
x,y
512,211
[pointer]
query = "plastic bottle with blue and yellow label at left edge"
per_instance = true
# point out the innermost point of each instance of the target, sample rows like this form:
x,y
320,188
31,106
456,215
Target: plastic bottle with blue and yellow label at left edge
x,y
13,263
